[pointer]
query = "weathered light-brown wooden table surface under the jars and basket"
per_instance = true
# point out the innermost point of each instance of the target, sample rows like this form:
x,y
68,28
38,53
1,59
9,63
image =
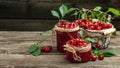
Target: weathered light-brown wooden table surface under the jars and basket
x,y
14,52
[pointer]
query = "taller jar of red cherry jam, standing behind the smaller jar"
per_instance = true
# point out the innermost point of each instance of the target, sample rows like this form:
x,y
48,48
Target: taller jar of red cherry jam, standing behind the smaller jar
x,y
65,32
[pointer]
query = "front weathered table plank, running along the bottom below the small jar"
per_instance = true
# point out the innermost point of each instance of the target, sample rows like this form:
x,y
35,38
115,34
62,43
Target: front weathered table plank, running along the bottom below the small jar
x,y
57,61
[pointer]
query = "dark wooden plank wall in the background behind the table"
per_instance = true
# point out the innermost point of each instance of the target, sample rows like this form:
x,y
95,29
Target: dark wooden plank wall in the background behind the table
x,y
35,14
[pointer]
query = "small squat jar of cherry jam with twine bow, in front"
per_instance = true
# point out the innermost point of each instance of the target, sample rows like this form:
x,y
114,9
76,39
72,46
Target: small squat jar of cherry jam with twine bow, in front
x,y
78,50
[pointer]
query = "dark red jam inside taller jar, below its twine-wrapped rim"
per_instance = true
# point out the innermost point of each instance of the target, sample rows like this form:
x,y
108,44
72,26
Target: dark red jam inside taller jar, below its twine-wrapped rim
x,y
63,37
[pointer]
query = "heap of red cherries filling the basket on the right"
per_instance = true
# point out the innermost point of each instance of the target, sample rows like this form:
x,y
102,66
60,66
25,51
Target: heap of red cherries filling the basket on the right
x,y
91,25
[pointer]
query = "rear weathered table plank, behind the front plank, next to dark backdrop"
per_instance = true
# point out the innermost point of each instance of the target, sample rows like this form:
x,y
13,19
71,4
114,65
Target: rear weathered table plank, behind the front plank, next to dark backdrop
x,y
18,42
